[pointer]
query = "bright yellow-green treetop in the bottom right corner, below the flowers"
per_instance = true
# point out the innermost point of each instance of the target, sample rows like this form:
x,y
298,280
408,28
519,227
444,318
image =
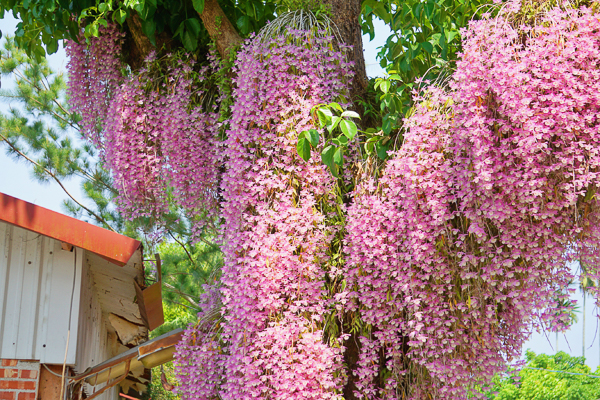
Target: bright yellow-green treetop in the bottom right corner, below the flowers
x,y
537,382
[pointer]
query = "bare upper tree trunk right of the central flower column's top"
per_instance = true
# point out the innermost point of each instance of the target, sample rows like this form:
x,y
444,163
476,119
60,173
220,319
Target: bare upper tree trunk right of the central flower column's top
x,y
346,15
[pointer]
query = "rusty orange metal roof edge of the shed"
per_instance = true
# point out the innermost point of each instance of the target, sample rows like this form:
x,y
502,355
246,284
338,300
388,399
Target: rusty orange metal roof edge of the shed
x,y
110,245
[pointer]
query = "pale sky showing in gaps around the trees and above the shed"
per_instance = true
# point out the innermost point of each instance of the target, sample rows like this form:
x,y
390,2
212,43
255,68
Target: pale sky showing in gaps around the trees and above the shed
x,y
16,179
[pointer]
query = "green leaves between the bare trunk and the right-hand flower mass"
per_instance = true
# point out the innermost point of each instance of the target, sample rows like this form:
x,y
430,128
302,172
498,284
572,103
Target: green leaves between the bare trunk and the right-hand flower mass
x,y
424,44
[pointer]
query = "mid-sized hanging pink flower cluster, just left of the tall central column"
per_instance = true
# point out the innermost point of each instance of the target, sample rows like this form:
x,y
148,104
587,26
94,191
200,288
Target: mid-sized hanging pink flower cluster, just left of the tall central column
x,y
157,141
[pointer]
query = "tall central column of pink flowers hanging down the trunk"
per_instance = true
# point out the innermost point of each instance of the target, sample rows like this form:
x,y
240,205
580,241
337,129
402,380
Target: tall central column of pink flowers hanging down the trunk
x,y
275,233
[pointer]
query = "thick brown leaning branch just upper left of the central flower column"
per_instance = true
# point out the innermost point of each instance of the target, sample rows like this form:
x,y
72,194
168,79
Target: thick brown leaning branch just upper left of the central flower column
x,y
219,27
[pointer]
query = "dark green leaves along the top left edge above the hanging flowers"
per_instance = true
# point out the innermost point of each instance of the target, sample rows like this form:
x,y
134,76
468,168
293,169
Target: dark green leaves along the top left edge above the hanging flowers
x,y
45,22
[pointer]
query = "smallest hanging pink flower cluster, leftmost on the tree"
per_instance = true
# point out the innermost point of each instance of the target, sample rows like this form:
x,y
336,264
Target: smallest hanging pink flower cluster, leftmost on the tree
x,y
94,75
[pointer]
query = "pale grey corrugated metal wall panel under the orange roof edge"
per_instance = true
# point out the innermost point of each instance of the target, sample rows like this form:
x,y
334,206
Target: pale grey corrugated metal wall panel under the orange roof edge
x,y
37,281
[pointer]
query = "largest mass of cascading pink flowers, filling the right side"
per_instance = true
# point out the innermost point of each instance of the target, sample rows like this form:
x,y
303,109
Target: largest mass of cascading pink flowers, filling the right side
x,y
461,248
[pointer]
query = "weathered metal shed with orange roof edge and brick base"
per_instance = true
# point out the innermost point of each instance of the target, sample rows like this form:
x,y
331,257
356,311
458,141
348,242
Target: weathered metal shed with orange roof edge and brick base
x,y
67,295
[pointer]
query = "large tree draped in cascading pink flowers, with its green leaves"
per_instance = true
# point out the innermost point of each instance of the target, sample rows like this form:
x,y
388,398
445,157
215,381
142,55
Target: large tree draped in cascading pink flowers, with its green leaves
x,y
383,239
